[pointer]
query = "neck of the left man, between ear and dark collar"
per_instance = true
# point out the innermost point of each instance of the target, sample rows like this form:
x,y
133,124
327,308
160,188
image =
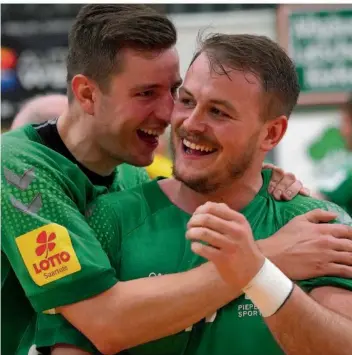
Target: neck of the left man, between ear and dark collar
x,y
80,141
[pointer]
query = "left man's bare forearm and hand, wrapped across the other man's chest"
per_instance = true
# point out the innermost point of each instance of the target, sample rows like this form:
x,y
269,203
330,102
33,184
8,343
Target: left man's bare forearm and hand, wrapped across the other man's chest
x,y
138,311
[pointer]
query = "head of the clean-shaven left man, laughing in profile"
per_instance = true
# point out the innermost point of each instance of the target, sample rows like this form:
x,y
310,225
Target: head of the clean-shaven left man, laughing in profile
x,y
122,71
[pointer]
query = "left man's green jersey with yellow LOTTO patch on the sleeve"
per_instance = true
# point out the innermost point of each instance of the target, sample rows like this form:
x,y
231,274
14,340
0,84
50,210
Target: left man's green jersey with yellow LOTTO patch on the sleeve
x,y
50,255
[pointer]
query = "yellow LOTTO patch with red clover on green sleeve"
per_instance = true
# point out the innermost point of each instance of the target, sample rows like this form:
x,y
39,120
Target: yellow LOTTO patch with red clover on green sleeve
x,y
48,253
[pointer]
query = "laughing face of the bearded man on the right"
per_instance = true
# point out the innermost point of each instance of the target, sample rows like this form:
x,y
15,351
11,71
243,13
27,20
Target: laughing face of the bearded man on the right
x,y
217,129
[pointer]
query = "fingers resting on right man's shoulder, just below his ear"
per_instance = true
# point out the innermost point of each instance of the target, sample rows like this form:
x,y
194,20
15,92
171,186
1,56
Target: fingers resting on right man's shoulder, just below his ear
x,y
284,186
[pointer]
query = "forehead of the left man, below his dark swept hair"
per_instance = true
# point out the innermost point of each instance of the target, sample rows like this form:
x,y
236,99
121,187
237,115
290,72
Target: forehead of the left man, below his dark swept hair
x,y
140,68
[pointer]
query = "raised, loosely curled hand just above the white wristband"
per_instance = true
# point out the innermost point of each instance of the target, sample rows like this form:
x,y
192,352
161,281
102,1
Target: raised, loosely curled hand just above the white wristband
x,y
230,244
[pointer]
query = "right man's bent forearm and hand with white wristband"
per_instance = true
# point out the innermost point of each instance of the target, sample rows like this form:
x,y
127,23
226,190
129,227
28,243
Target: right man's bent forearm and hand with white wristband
x,y
300,325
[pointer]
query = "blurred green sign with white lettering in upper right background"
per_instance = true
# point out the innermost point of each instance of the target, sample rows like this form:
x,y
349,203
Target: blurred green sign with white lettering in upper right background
x,y
319,40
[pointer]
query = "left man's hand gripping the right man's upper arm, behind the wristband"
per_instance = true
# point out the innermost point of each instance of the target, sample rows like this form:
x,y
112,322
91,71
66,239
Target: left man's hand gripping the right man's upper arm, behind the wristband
x,y
309,247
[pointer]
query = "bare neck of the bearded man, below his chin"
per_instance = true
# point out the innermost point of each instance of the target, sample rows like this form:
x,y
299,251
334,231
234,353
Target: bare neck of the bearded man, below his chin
x,y
237,195
